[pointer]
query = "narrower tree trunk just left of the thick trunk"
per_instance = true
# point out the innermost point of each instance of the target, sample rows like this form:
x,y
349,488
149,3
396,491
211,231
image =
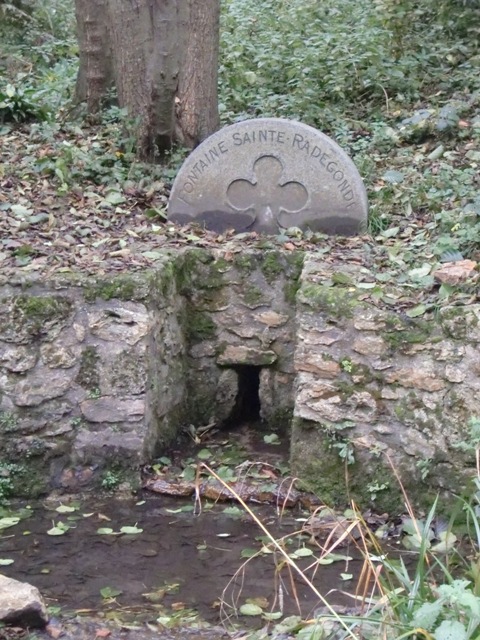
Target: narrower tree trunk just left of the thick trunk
x,y
95,75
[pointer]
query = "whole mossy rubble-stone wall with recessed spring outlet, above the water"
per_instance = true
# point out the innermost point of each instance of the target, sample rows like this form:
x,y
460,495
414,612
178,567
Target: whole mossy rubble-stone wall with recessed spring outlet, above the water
x,y
100,374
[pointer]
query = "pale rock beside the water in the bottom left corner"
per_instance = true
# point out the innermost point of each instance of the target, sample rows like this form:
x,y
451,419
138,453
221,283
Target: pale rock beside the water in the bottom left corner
x,y
21,604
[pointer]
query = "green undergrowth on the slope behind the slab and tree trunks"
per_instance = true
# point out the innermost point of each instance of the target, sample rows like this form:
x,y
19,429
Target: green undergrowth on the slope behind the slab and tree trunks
x,y
395,82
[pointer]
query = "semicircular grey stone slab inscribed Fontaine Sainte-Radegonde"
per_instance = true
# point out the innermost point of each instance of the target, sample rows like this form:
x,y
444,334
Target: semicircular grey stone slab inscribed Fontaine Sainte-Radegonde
x,y
263,174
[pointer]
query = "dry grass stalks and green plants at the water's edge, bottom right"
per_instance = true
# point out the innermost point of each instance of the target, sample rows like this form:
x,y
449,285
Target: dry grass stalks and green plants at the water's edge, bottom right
x,y
430,592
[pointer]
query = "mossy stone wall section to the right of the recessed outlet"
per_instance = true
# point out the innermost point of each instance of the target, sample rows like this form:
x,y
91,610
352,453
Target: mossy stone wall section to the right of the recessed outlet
x,y
379,391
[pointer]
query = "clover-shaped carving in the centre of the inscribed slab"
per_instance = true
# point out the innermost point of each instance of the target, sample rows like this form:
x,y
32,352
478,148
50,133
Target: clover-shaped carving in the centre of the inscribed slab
x,y
268,193
